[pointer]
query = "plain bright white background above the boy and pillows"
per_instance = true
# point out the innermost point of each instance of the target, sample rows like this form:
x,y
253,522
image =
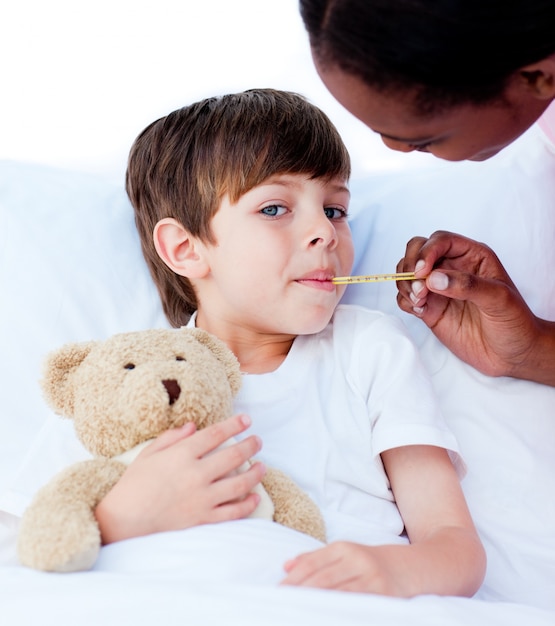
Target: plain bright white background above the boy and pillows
x,y
81,79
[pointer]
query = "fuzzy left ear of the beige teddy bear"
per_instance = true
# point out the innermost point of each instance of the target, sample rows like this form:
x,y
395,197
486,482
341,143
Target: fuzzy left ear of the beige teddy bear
x,y
56,382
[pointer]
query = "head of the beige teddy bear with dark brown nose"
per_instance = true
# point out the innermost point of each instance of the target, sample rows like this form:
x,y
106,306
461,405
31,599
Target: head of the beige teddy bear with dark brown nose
x,y
132,386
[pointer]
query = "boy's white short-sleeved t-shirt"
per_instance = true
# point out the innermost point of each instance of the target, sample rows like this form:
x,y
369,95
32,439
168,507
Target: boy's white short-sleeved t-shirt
x,y
339,399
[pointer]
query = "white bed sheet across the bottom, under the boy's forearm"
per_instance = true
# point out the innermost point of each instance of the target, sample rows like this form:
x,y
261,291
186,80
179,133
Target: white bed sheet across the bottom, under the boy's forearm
x,y
187,578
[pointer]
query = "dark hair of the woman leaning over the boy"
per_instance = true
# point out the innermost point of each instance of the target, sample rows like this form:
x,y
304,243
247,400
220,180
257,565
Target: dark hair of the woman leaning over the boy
x,y
447,51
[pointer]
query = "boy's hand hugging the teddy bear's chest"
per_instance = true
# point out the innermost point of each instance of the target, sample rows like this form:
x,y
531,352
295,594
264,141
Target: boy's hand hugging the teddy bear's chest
x,y
182,480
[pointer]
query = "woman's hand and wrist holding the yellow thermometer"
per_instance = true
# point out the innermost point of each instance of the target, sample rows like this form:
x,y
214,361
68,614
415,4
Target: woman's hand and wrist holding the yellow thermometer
x,y
465,296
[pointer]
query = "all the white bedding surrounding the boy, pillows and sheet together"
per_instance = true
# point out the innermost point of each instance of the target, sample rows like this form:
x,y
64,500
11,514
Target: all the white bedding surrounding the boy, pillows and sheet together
x,y
71,269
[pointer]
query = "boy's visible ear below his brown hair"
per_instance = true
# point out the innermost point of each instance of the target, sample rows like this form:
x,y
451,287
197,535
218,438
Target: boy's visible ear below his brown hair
x,y
179,250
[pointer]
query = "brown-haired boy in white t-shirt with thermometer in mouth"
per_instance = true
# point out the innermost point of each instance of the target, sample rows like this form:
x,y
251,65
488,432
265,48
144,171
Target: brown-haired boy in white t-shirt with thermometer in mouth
x,y
241,204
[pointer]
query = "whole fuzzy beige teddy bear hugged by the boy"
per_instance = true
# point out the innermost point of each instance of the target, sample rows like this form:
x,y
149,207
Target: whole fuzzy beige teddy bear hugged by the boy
x,y
121,393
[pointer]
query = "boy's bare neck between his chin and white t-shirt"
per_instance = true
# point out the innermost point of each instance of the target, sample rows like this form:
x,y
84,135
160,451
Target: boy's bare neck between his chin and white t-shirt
x,y
256,352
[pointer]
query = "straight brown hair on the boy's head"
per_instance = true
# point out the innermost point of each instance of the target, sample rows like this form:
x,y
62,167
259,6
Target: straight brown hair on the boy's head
x,y
182,165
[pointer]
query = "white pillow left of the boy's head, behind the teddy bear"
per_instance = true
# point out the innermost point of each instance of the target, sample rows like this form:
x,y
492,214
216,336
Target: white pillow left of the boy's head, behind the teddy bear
x,y
71,269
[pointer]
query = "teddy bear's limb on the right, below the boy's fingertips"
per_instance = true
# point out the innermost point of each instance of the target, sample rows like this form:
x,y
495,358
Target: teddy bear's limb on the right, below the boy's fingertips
x,y
293,507
